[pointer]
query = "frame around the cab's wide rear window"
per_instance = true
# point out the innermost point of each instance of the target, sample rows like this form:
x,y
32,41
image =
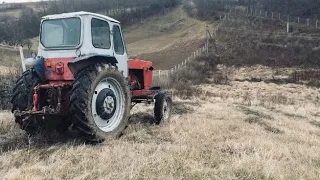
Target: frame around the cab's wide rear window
x,y
63,47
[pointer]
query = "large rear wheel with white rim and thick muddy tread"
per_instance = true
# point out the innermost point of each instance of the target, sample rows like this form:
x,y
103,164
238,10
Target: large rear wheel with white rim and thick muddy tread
x,y
100,103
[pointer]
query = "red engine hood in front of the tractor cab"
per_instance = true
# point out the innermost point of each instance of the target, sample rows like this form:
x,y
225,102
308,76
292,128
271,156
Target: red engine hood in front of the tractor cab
x,y
145,66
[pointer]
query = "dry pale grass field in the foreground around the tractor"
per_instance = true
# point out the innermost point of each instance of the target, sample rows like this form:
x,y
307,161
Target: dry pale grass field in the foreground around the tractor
x,y
238,131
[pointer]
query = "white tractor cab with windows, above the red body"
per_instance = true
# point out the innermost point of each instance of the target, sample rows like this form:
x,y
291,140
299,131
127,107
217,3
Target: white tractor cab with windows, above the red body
x,y
81,34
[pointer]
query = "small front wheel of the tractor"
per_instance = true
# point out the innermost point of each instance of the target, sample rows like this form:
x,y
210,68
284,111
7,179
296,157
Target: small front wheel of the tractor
x,y
162,107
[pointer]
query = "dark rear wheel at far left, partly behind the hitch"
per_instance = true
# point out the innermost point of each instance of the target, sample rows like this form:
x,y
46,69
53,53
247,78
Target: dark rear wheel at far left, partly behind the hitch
x,y
22,99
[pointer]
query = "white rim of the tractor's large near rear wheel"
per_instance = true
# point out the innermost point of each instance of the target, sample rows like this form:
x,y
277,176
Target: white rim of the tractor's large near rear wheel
x,y
108,104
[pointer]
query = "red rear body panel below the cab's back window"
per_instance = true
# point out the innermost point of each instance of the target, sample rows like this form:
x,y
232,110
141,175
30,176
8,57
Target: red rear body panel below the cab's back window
x,y
56,69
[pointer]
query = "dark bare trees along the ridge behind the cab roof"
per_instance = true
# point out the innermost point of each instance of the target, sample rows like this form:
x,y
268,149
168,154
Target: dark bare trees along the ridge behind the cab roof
x,y
16,31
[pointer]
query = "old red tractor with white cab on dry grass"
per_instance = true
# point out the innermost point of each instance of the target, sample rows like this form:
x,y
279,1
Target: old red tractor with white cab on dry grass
x,y
82,79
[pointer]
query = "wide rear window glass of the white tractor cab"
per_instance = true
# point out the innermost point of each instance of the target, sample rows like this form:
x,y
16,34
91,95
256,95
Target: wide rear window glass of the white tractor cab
x,y
58,33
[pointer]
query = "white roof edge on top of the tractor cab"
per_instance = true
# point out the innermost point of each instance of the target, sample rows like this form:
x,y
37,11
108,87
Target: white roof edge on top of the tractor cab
x,y
77,14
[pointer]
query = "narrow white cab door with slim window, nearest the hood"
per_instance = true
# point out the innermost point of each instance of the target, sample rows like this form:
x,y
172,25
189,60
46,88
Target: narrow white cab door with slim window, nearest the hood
x,y
120,52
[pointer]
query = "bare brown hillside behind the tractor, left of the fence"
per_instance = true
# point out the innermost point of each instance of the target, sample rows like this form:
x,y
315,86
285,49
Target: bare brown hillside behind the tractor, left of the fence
x,y
165,39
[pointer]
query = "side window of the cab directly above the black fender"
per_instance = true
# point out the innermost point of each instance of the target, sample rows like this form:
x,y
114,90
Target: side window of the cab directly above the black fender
x,y
100,32
